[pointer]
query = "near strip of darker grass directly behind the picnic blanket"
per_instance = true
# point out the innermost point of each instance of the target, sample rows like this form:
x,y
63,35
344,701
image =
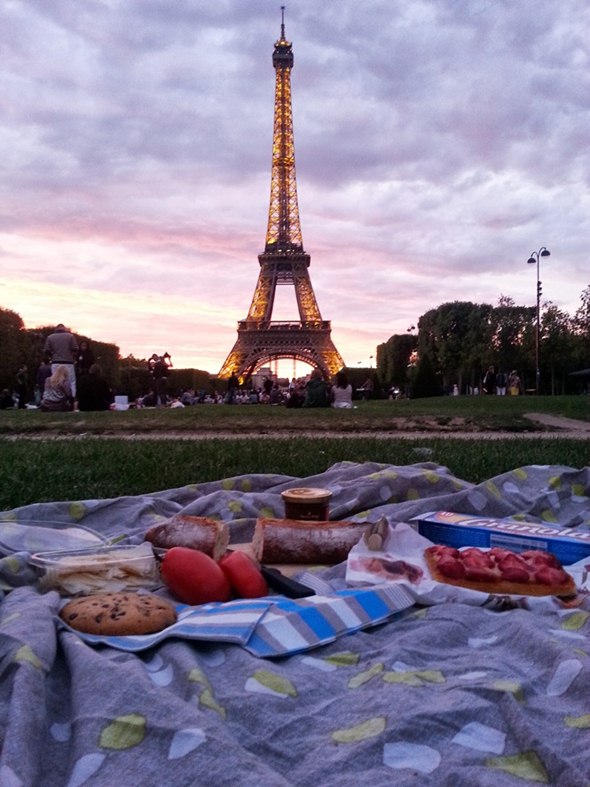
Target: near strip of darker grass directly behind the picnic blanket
x,y
34,471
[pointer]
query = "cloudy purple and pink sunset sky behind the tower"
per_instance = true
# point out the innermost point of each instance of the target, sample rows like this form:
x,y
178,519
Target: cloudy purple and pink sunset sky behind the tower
x,y
438,143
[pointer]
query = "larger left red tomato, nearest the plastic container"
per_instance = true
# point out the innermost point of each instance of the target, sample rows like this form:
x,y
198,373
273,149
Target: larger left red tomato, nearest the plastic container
x,y
194,577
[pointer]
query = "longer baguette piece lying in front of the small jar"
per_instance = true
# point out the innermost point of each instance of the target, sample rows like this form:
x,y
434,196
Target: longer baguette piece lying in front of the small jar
x,y
304,542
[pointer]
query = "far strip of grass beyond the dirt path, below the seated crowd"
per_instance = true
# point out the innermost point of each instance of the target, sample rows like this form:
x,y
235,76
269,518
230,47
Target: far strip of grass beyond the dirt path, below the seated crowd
x,y
498,413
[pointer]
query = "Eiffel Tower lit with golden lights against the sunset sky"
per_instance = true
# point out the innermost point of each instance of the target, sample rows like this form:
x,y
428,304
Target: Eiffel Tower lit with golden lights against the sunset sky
x,y
283,261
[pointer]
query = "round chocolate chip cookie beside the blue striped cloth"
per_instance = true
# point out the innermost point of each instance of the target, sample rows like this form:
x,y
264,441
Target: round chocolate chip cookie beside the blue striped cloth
x,y
118,614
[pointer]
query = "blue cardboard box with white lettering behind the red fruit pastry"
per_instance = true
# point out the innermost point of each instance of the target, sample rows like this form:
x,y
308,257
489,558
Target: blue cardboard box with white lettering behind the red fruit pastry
x,y
459,530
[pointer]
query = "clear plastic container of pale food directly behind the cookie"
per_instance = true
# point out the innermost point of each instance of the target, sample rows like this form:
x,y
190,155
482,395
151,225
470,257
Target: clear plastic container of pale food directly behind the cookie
x,y
82,572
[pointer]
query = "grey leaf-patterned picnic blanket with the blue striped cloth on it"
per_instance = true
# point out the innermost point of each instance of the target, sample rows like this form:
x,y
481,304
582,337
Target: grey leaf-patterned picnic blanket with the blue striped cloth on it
x,y
397,693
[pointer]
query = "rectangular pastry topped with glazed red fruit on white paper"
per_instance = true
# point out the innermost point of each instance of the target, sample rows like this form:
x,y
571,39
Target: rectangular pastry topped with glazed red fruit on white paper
x,y
486,570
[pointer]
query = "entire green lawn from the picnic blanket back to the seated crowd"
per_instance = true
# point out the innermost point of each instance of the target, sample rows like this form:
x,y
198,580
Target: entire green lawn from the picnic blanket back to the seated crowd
x,y
58,456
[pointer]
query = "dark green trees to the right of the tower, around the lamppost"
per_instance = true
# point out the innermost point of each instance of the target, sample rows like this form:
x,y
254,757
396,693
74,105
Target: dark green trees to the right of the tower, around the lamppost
x,y
456,342
